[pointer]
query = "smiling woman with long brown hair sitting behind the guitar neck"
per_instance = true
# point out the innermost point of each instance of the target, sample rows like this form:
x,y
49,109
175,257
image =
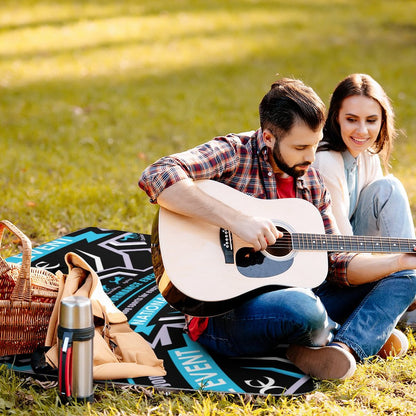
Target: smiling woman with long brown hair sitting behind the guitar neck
x,y
358,133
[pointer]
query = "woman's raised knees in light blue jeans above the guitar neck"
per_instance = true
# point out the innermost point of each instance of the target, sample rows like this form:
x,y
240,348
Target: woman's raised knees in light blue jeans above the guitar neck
x,y
383,210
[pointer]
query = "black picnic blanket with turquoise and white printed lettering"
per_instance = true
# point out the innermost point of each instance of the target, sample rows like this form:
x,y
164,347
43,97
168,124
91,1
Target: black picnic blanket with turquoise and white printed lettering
x,y
123,263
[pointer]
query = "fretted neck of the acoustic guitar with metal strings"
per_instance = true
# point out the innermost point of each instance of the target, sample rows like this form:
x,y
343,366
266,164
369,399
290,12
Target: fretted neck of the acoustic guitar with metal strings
x,y
360,244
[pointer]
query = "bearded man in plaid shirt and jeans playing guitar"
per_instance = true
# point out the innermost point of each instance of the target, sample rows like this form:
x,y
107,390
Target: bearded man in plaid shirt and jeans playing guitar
x,y
274,162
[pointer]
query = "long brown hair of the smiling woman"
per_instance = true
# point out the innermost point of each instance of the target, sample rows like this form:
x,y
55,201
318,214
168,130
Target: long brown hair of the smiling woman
x,y
364,85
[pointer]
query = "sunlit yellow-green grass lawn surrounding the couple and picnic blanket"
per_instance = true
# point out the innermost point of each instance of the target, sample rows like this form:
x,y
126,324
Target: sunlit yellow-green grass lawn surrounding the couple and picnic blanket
x,y
93,91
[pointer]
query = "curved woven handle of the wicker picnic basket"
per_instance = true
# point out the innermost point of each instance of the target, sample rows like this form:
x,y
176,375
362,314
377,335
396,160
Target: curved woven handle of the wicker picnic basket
x,y
21,291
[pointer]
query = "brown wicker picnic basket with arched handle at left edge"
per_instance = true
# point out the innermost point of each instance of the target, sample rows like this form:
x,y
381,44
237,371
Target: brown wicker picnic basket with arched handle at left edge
x,y
27,298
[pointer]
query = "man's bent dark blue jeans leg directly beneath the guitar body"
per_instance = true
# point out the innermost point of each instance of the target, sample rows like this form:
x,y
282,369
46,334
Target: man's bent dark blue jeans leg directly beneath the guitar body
x,y
258,326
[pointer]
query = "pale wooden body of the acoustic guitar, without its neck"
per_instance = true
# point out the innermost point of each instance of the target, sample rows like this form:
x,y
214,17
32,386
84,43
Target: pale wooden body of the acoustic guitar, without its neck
x,y
203,270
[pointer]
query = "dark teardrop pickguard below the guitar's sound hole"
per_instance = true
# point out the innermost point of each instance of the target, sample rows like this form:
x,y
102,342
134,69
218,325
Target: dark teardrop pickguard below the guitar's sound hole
x,y
252,263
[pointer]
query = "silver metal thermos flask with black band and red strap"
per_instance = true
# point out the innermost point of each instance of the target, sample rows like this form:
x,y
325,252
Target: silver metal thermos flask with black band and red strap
x,y
75,337
